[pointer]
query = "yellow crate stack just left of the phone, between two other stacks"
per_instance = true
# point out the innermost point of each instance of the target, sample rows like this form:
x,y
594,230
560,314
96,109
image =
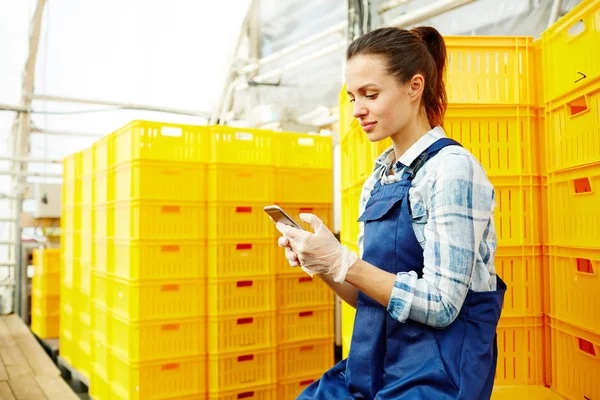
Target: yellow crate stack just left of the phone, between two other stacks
x,y
241,287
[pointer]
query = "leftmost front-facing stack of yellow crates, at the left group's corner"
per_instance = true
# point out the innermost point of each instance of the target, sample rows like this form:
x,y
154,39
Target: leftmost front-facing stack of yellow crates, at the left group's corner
x,y
155,292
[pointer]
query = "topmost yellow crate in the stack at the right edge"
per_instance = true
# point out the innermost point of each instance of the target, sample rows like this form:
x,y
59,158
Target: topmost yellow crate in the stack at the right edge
x,y
568,50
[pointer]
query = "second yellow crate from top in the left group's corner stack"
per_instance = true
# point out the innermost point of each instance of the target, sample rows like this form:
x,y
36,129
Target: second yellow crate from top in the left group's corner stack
x,y
164,181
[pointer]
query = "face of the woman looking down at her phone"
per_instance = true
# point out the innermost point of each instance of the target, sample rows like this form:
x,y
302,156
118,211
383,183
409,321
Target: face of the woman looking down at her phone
x,y
382,105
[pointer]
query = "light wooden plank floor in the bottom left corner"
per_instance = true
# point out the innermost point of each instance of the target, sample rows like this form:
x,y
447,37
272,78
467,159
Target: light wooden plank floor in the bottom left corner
x,y
26,371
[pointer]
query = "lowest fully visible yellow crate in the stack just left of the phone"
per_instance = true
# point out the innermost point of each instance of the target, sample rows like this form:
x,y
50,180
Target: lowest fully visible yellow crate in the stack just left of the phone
x,y
232,371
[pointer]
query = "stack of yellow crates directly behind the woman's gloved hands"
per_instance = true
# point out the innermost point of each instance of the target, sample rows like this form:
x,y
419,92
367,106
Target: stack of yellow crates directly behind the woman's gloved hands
x,y
303,184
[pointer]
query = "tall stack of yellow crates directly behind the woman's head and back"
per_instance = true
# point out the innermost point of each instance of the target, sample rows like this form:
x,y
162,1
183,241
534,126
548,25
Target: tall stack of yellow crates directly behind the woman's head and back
x,y
492,112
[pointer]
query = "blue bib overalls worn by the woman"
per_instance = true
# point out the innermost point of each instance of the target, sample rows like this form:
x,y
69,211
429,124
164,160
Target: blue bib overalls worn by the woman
x,y
406,361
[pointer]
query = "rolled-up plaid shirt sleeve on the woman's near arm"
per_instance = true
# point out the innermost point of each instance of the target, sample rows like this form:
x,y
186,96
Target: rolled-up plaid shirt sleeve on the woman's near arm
x,y
460,206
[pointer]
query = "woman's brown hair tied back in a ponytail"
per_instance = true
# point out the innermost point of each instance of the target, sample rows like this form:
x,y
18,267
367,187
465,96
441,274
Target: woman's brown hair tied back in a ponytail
x,y
420,50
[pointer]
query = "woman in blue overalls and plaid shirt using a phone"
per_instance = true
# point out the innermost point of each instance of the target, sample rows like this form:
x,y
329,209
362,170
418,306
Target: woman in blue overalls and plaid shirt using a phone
x,y
427,296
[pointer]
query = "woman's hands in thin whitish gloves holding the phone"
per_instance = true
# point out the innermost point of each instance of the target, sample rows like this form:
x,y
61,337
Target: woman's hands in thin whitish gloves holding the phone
x,y
319,252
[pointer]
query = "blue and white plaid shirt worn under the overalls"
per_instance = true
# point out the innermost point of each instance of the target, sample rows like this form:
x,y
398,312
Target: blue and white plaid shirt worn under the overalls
x,y
452,203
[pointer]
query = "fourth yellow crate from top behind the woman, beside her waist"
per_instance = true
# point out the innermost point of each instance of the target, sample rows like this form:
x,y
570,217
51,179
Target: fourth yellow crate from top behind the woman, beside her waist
x,y
522,270
